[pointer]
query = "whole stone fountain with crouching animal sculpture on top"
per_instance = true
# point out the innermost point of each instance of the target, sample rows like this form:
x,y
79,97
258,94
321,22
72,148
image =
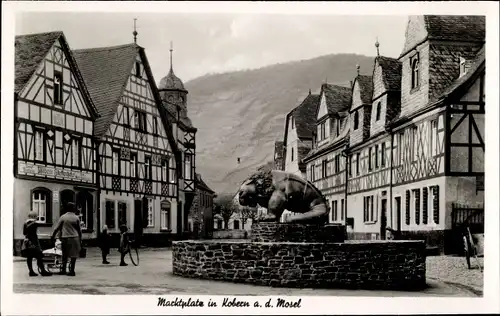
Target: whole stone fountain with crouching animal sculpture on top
x,y
305,252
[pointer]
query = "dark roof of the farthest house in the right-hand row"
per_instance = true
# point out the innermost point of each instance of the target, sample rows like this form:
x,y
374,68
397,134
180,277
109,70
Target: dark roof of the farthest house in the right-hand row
x,y
305,116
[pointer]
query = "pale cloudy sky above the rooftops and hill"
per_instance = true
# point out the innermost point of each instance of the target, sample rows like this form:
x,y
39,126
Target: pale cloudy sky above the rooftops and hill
x,y
214,43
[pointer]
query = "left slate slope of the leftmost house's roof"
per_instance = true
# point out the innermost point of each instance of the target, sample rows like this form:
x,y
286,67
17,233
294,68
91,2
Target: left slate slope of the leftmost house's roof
x,y
30,50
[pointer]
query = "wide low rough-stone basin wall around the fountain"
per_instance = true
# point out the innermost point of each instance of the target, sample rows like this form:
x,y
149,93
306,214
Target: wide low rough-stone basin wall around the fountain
x,y
386,265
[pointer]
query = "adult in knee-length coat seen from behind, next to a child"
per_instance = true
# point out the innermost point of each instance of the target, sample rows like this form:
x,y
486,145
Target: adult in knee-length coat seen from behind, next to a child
x,y
71,237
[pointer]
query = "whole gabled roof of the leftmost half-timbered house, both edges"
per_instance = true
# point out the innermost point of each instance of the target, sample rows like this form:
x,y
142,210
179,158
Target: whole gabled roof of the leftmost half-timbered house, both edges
x,y
31,49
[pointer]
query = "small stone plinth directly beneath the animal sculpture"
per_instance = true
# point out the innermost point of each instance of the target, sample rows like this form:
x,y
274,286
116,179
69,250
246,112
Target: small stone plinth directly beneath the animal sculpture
x,y
295,232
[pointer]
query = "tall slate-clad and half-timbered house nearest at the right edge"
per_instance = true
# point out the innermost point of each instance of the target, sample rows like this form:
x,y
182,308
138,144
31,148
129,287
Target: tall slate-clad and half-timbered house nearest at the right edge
x,y
438,137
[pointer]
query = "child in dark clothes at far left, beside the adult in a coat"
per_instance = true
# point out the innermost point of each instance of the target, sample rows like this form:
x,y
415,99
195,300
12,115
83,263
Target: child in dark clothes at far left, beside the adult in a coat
x,y
31,246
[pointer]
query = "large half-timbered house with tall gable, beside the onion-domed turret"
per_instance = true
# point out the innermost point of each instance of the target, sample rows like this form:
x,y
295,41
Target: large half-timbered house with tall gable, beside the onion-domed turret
x,y
139,161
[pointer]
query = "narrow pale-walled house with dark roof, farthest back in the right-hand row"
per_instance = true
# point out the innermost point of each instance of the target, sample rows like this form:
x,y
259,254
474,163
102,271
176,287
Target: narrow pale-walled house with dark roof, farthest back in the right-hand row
x,y
298,137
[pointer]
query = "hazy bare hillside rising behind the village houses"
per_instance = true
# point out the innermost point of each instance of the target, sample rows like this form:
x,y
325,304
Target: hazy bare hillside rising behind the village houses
x,y
241,114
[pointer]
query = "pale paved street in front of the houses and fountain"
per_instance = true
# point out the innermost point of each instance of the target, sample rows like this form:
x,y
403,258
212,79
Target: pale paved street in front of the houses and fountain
x,y
154,276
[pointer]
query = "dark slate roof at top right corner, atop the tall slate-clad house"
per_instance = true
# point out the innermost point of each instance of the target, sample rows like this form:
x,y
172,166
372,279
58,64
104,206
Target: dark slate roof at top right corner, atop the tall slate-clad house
x,y
455,27
